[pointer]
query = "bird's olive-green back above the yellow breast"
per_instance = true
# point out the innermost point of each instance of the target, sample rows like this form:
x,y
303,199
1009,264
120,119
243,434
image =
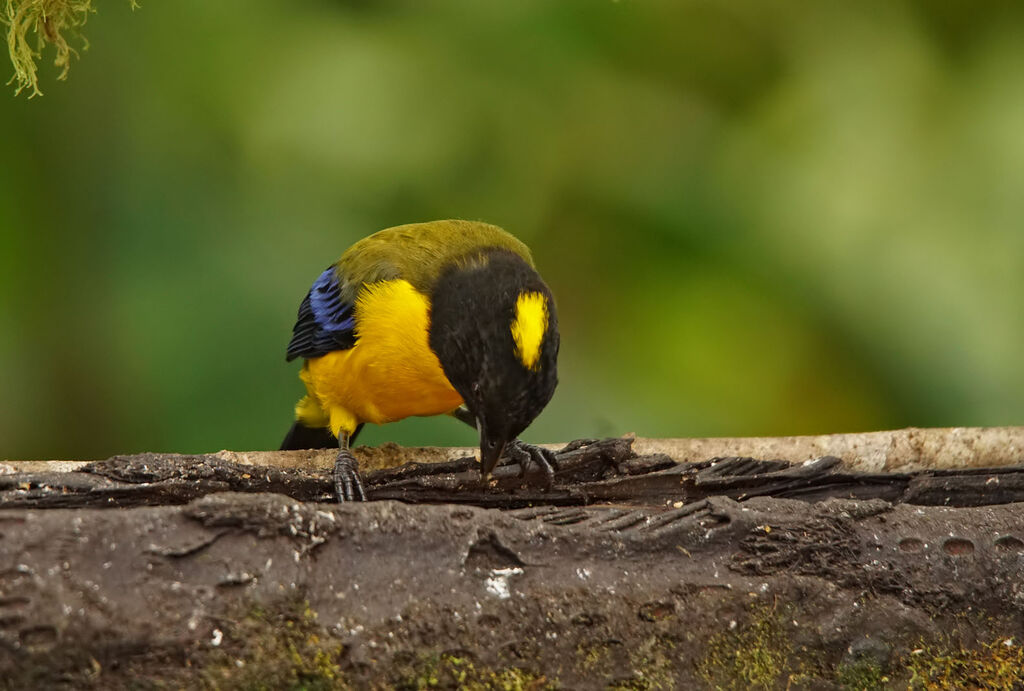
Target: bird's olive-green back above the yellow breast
x,y
418,252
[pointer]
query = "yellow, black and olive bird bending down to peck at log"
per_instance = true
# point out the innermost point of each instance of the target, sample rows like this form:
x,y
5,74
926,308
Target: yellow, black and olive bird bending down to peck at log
x,y
443,318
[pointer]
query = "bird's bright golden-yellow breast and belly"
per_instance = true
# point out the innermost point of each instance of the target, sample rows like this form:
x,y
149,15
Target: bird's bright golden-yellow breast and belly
x,y
390,374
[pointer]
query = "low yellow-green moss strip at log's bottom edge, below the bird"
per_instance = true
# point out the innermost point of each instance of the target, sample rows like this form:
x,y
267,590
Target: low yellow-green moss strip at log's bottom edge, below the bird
x,y
447,671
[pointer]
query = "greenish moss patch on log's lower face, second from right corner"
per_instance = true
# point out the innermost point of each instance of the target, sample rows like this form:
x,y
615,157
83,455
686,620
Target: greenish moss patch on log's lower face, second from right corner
x,y
753,657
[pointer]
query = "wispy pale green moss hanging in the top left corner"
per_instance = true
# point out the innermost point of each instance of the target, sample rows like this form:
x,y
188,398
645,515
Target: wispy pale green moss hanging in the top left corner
x,y
34,24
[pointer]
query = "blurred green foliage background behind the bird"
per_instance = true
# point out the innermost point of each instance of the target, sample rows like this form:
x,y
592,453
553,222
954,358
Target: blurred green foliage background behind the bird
x,y
758,218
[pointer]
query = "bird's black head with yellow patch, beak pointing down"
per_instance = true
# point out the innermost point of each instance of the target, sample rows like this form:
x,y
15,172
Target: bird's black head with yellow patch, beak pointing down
x,y
495,330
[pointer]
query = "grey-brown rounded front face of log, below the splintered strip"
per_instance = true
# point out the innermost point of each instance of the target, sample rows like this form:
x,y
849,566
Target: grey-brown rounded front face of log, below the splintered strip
x,y
261,591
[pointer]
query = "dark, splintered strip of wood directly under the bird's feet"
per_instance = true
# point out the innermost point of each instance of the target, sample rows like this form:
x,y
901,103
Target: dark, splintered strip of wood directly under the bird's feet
x,y
589,472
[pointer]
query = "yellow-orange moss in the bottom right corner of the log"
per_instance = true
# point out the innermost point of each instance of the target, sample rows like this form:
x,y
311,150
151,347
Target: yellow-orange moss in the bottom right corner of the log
x,y
996,666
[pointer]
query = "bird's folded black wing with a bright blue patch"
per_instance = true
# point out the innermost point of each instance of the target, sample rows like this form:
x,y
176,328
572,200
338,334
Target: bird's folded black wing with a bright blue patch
x,y
326,322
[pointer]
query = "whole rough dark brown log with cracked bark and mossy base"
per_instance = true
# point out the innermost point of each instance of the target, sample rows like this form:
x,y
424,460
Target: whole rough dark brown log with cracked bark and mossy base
x,y
632,572
